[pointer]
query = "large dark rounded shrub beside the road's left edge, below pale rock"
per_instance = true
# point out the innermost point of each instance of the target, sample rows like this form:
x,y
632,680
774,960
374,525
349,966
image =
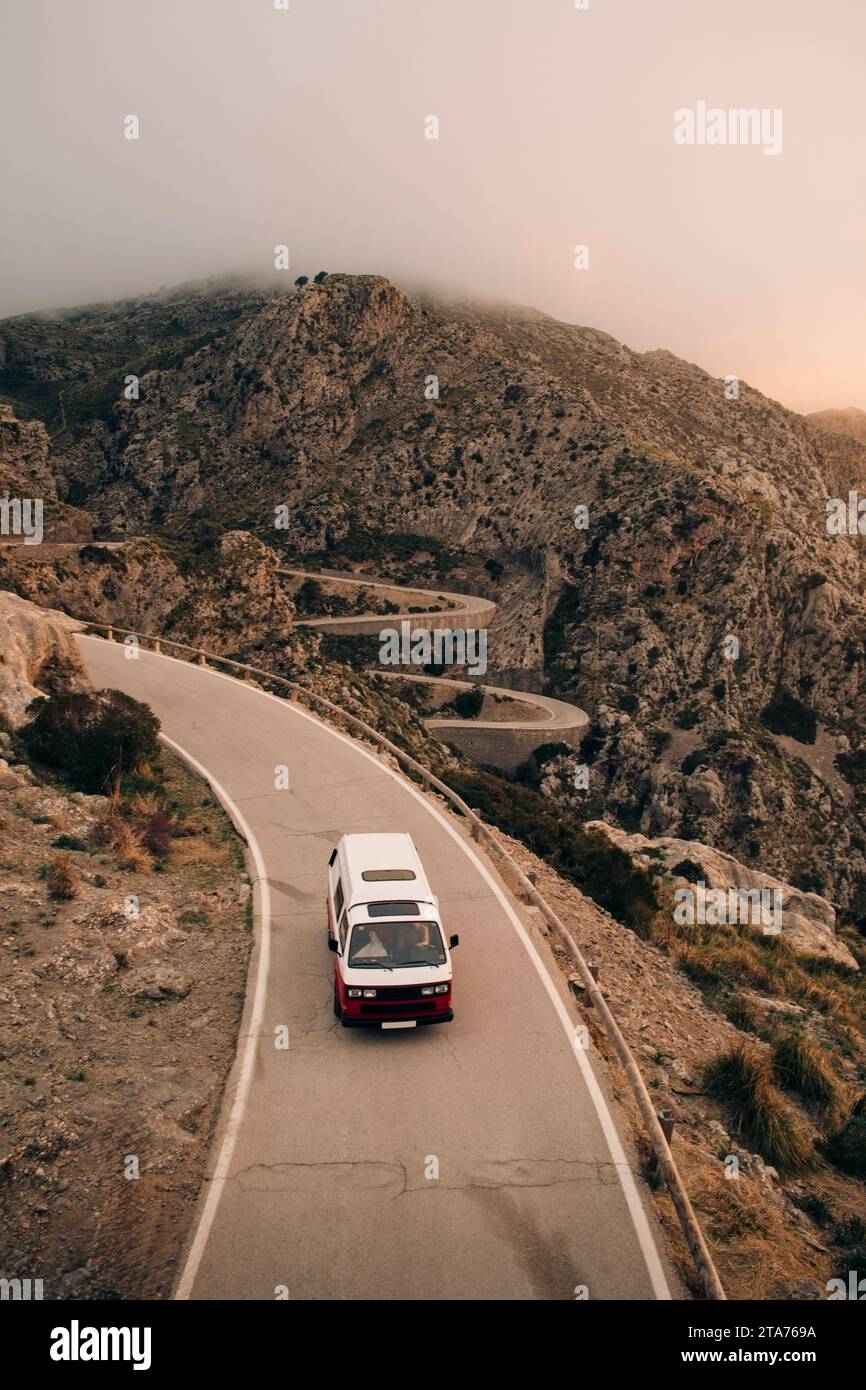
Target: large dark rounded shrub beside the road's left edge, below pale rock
x,y
92,739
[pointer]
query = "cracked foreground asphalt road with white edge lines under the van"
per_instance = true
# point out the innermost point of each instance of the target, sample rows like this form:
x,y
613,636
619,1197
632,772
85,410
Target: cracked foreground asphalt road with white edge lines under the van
x,y
326,1152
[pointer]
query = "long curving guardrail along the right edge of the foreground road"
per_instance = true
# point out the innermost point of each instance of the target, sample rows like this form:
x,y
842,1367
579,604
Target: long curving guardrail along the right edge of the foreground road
x,y
589,985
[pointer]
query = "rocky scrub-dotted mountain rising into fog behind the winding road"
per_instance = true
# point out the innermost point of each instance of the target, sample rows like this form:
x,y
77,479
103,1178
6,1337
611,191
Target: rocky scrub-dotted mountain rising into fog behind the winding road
x,y
657,539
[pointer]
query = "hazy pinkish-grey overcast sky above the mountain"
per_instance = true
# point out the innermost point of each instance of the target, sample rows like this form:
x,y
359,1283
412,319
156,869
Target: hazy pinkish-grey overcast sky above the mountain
x,y
557,129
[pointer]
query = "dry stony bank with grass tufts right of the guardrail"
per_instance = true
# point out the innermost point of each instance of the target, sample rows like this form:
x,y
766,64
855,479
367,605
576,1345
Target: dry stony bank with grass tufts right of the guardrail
x,y
742,1106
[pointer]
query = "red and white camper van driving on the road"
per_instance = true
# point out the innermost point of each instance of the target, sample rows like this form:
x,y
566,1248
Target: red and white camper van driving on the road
x,y
393,964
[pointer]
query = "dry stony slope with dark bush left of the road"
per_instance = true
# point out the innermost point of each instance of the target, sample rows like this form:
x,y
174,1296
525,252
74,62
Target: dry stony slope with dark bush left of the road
x,y
123,961
